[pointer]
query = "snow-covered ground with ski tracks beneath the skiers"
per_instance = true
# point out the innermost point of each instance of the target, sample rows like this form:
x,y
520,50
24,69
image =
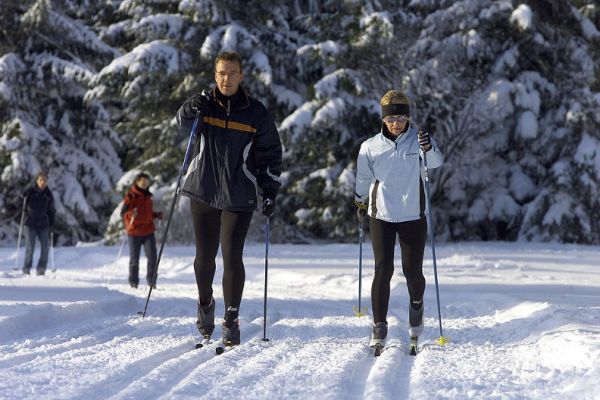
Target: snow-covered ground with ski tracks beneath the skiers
x,y
523,322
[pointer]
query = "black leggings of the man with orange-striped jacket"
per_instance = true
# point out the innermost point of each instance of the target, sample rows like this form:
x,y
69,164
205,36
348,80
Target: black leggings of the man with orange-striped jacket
x,y
212,225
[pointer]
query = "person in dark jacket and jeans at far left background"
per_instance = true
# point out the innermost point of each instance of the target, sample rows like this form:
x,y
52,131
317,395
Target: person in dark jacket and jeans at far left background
x,y
39,212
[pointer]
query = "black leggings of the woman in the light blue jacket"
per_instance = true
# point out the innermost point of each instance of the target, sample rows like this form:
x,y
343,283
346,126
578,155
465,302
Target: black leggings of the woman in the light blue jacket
x,y
412,236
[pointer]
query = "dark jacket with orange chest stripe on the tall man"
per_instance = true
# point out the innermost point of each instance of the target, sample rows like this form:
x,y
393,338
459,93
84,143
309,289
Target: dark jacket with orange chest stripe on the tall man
x,y
237,153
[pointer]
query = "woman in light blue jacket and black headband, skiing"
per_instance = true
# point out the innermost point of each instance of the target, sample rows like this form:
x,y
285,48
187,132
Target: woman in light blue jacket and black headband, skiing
x,y
389,189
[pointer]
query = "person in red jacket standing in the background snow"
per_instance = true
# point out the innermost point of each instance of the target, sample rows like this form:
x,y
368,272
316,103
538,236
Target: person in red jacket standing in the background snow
x,y
138,217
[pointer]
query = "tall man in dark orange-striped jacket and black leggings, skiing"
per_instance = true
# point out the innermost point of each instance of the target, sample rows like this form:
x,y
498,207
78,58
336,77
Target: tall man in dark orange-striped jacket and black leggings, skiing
x,y
234,170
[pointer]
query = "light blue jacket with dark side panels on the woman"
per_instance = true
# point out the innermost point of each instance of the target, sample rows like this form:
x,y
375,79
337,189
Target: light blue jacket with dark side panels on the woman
x,y
388,176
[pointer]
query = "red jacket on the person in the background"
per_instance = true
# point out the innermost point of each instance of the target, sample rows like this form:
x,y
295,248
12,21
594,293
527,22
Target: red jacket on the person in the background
x,y
137,212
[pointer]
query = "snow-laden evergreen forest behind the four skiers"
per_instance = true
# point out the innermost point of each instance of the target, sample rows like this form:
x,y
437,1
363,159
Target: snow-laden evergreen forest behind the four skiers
x,y
509,89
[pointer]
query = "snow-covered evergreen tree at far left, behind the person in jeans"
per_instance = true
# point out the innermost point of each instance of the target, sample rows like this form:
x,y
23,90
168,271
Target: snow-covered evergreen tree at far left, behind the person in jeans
x,y
46,125
